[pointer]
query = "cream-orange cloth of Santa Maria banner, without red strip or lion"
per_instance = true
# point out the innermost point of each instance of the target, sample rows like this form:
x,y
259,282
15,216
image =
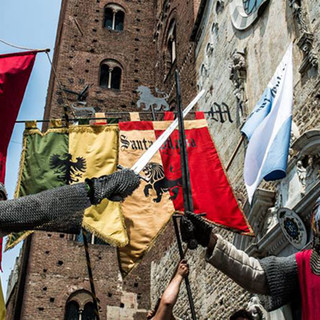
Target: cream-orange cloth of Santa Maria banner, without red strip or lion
x,y
144,217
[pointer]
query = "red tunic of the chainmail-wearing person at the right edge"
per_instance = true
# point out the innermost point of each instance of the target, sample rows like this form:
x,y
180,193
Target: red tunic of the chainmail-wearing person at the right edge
x,y
309,287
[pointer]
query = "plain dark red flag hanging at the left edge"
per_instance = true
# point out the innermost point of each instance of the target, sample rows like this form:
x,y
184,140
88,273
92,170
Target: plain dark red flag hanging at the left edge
x,y
15,69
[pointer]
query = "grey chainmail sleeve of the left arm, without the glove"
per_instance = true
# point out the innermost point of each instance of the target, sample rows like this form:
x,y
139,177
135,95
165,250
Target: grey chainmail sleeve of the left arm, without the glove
x,y
59,209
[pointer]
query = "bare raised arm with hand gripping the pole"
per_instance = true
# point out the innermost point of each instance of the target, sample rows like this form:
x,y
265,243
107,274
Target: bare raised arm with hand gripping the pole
x,y
163,309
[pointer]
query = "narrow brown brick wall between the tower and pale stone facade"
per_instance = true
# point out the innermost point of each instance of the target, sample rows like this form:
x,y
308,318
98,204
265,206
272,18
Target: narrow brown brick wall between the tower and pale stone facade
x,y
183,13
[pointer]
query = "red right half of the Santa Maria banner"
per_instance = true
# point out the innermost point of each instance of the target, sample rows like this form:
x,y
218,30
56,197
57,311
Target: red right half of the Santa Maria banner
x,y
211,191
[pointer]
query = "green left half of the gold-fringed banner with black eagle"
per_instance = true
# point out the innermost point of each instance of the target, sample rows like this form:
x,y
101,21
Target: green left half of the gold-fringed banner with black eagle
x,y
38,170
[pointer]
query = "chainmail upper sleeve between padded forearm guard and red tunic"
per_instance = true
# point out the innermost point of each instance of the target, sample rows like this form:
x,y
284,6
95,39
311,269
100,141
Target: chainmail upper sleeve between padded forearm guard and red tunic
x,y
283,282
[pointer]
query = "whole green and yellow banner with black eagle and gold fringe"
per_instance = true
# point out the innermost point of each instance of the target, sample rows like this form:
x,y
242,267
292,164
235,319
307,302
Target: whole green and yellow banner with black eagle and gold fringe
x,y
63,156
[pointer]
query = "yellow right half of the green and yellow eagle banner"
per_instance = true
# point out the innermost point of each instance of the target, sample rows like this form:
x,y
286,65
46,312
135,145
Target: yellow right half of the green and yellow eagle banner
x,y
99,146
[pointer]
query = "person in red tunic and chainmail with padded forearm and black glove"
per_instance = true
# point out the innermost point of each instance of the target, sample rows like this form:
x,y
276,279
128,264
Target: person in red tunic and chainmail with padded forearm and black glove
x,y
277,280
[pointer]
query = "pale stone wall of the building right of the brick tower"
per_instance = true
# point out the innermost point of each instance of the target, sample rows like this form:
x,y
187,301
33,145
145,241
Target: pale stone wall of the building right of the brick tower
x,y
216,296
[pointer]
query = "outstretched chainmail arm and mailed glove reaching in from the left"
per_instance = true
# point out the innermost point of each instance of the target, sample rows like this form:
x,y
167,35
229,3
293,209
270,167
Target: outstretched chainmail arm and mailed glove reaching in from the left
x,y
61,209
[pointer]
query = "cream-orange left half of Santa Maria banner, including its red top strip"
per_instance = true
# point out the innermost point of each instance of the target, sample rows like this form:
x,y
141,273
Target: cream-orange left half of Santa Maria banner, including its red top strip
x,y
149,209
